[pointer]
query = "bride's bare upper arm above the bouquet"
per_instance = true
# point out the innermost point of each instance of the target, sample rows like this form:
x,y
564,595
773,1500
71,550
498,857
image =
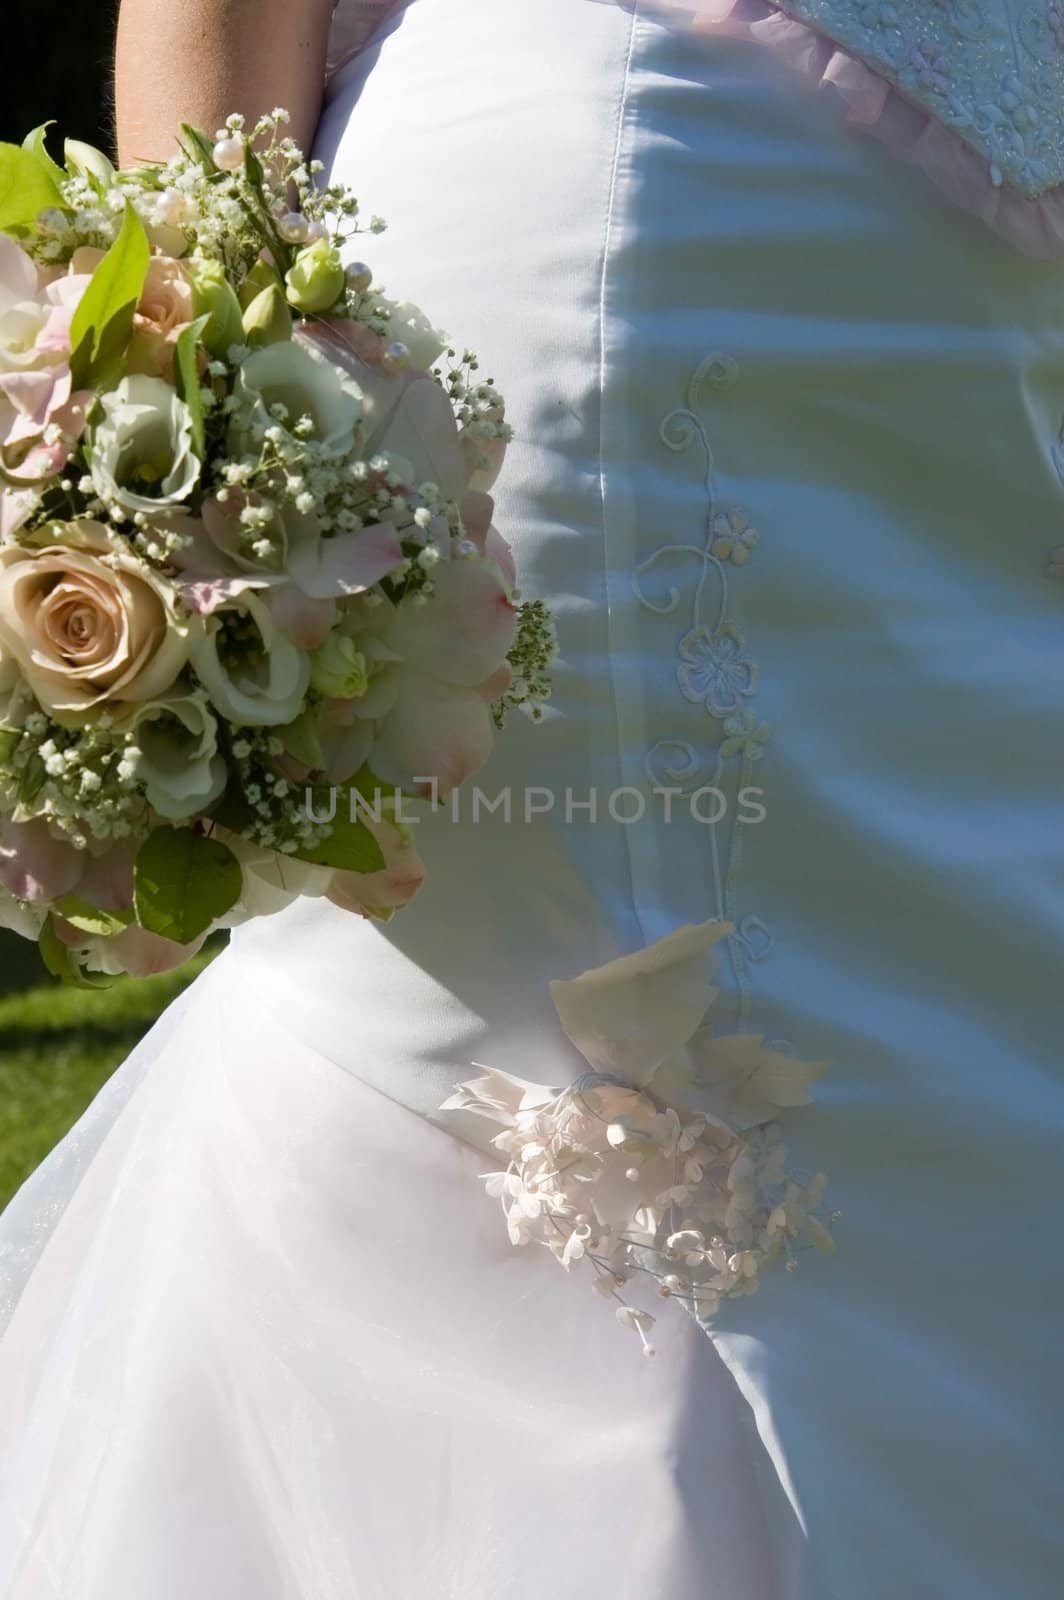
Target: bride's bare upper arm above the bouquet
x,y
199,60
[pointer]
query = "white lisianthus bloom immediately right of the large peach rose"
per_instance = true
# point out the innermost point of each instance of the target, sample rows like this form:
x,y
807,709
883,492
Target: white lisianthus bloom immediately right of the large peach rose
x,y
252,673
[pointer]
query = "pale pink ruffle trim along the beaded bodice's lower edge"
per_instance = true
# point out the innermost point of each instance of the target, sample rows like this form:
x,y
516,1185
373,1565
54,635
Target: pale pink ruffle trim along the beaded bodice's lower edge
x,y
876,106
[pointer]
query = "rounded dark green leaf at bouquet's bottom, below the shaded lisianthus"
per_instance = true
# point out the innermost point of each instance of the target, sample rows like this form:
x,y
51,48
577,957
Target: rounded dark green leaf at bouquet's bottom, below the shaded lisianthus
x,y
183,882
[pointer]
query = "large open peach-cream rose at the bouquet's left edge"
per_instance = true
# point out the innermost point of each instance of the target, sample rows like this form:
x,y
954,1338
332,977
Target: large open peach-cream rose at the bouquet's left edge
x,y
89,623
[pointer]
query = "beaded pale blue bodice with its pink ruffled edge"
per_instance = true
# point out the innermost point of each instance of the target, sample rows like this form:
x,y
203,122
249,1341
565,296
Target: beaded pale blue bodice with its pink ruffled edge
x,y
969,90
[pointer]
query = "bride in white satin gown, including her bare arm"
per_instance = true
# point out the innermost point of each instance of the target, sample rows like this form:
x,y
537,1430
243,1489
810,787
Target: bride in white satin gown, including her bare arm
x,y
777,300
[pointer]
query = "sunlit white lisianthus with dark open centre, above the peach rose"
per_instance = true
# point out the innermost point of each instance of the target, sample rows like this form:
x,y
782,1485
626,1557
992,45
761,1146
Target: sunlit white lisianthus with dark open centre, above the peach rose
x,y
142,452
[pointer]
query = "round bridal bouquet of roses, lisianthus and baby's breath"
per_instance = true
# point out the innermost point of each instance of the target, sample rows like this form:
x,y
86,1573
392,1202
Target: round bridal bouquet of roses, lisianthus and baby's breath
x,y
246,554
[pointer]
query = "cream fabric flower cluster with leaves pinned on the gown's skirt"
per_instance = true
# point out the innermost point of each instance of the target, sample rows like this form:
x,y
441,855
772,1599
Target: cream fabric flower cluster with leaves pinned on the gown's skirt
x,y
665,1162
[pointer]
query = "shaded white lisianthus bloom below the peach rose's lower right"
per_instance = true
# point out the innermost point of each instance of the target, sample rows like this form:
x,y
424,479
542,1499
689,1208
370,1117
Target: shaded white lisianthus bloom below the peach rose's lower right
x,y
178,761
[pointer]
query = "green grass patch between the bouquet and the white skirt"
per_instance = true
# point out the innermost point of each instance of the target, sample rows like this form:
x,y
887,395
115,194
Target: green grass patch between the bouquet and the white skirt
x,y
58,1047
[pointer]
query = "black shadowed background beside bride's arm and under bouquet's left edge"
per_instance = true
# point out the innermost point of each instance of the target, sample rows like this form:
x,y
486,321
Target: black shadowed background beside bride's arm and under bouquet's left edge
x,y
74,90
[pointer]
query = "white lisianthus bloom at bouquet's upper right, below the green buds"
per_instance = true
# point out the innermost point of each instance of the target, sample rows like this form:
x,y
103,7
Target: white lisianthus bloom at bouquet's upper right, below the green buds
x,y
287,375
